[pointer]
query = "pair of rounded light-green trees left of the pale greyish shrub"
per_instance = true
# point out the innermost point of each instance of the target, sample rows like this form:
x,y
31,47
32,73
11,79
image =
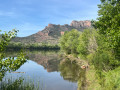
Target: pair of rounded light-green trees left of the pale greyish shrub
x,y
77,43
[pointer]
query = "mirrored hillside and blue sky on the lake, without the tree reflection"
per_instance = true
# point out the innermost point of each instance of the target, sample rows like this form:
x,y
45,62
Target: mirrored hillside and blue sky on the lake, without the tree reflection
x,y
44,65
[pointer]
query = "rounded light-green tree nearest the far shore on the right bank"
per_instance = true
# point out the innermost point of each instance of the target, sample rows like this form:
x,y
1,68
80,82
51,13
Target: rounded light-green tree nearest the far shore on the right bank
x,y
69,41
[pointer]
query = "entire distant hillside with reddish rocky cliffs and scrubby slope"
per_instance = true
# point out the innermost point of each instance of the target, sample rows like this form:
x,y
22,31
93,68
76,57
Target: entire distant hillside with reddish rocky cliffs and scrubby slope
x,y
51,33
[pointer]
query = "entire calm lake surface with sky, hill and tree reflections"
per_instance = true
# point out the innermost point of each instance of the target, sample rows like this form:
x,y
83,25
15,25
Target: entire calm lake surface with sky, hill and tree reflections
x,y
50,70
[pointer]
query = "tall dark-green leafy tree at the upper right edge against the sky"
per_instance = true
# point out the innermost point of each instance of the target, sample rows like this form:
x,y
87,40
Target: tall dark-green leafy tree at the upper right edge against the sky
x,y
109,23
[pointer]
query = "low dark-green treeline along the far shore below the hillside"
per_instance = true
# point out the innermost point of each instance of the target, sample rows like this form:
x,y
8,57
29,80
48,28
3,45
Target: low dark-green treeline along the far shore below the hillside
x,y
35,46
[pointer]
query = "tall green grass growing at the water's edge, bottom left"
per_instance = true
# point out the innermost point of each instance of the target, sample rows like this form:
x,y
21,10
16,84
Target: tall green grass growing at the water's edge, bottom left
x,y
20,84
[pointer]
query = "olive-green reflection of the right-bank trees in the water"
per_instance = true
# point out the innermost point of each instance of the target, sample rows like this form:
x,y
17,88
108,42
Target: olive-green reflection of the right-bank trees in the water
x,y
72,72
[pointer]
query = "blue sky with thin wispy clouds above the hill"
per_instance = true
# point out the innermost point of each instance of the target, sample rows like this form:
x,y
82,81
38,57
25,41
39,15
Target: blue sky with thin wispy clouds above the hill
x,y
31,16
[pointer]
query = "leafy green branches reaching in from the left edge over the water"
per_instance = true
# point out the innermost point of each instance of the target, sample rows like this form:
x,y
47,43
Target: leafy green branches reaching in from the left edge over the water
x,y
10,63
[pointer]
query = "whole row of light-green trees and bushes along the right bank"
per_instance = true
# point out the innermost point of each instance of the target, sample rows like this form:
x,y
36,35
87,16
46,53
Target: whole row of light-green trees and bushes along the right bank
x,y
90,45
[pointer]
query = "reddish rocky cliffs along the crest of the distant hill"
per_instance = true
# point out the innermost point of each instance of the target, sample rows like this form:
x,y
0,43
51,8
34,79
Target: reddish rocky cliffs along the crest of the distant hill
x,y
58,30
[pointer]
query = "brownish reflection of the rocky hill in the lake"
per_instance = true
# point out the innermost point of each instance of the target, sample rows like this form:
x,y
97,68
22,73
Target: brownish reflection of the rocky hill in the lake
x,y
49,61
